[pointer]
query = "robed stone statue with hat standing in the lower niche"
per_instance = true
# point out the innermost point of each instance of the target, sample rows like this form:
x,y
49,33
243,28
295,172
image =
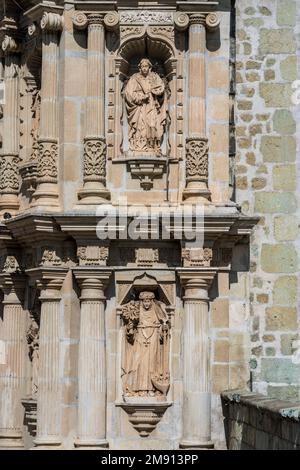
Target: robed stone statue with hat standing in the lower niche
x,y
145,355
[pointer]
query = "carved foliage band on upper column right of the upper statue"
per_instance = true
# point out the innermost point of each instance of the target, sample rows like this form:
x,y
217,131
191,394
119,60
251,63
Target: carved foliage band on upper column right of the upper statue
x,y
197,159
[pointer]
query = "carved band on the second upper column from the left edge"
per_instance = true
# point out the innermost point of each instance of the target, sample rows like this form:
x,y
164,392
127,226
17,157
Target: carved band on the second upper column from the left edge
x,y
47,161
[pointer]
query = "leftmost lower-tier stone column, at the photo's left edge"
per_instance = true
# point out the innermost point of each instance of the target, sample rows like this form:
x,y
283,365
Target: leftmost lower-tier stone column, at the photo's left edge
x,y
12,367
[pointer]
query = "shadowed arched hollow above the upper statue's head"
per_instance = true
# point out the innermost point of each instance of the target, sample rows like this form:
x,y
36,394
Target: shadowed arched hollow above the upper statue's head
x,y
156,49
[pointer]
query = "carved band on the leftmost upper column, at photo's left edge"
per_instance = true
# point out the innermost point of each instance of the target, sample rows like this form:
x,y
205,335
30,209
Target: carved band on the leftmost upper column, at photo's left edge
x,y
9,174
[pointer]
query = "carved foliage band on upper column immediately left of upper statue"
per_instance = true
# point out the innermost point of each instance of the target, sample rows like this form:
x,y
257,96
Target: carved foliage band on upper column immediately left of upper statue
x,y
94,159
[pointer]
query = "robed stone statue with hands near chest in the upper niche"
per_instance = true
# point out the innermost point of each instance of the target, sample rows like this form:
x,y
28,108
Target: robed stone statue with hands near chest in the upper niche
x,y
146,104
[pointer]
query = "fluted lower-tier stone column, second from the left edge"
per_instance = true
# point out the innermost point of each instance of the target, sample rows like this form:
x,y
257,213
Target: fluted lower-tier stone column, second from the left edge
x,y
49,387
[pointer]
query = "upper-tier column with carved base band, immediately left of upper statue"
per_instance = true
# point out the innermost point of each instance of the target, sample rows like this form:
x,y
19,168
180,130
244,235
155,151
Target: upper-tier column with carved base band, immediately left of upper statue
x,y
94,190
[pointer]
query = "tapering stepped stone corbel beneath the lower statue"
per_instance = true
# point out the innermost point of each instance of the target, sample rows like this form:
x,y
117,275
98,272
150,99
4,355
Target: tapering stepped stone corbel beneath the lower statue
x,y
144,417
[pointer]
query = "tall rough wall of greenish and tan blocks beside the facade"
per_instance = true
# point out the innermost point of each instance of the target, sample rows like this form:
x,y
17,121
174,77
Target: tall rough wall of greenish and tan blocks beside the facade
x,y
266,185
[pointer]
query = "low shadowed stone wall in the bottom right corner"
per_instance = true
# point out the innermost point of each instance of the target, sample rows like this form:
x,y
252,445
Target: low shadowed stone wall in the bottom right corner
x,y
253,422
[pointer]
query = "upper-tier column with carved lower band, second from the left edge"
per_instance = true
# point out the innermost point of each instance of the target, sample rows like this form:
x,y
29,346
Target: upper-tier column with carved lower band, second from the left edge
x,y
47,168
